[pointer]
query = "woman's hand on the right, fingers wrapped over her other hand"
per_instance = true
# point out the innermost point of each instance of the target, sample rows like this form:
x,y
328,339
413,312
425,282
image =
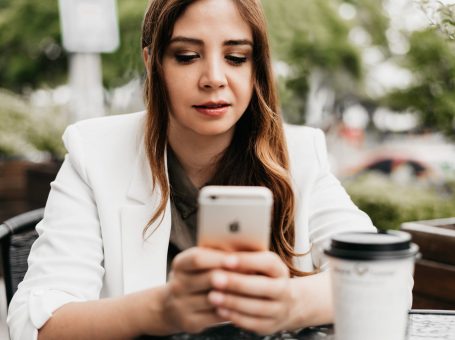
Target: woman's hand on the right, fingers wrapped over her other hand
x,y
255,292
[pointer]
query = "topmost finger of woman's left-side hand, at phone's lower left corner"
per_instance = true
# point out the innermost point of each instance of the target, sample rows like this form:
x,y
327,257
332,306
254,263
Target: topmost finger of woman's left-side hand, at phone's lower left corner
x,y
197,259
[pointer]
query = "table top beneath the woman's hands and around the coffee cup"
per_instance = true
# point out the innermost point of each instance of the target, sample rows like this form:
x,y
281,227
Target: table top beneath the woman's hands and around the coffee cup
x,y
422,325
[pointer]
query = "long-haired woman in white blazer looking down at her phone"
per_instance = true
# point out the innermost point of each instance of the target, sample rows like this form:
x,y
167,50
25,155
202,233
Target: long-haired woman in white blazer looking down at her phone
x,y
98,269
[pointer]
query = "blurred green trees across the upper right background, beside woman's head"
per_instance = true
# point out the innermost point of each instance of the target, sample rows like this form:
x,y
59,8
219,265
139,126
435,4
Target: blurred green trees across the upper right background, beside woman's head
x,y
311,35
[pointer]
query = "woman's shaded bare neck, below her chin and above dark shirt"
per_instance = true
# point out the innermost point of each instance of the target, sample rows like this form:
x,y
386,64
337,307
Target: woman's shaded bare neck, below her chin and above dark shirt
x,y
198,154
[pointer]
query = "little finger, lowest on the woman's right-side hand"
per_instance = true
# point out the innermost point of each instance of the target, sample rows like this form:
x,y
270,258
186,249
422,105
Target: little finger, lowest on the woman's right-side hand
x,y
250,323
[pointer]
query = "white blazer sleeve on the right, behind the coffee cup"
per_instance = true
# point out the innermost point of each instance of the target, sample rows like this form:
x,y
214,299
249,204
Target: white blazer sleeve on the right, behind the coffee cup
x,y
331,210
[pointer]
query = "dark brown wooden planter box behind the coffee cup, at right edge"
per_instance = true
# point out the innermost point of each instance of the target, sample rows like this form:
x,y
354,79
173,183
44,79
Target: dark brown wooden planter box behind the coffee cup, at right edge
x,y
434,286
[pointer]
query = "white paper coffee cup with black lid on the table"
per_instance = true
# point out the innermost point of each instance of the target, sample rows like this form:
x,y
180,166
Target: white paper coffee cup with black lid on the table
x,y
371,284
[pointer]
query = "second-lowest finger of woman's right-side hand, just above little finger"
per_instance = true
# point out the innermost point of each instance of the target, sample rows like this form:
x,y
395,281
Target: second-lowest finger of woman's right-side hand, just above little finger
x,y
245,305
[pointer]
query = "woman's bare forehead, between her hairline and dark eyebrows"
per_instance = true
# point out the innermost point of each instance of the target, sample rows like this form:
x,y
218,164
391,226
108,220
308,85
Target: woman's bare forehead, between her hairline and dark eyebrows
x,y
212,18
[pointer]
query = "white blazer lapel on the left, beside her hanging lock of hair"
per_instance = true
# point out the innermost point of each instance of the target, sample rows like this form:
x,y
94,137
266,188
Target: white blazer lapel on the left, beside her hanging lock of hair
x,y
144,255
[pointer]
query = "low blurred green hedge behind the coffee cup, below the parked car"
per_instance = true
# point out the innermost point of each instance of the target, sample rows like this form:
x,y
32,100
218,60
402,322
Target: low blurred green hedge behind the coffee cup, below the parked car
x,y
389,203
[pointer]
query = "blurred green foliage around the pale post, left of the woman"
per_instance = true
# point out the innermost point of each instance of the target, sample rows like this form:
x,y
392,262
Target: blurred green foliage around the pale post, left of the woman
x,y
32,57
